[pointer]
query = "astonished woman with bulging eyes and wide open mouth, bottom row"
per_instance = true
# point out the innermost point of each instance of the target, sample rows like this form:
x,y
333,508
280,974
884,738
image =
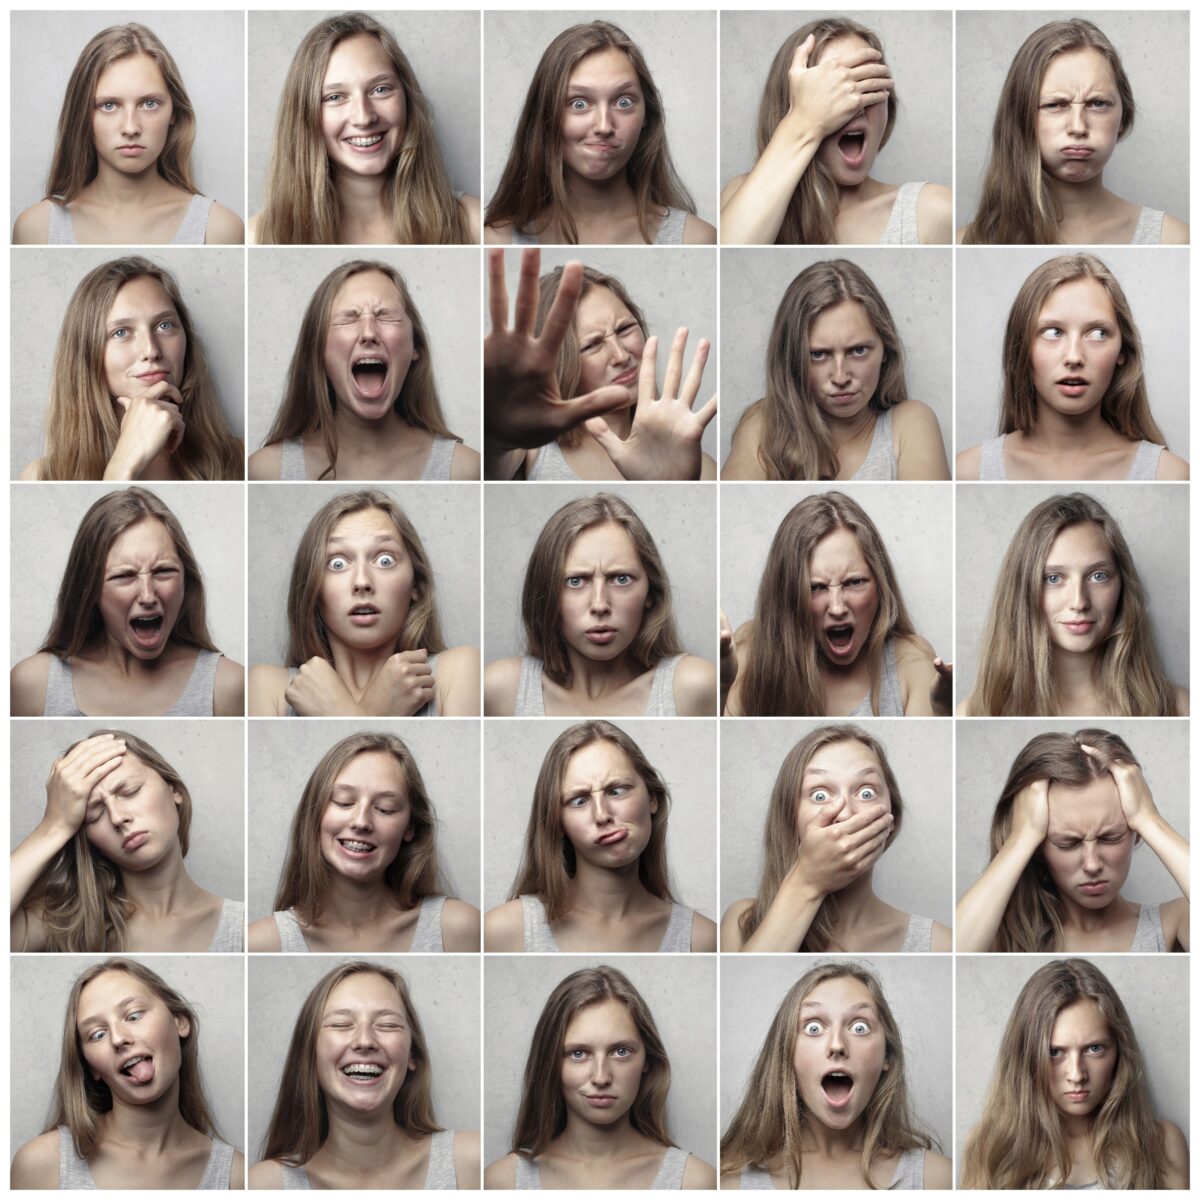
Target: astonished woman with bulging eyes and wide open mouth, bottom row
x,y
802,1125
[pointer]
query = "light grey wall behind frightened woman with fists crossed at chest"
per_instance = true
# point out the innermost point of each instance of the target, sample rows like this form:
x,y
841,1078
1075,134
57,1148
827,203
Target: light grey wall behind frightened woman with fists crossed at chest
x,y
446,518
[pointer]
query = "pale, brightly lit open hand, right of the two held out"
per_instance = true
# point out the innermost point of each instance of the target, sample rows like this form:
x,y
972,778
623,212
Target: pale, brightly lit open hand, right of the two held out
x,y
664,442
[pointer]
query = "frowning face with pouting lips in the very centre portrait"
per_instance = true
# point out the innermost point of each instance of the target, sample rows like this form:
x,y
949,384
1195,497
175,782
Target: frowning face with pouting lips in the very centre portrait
x,y
604,593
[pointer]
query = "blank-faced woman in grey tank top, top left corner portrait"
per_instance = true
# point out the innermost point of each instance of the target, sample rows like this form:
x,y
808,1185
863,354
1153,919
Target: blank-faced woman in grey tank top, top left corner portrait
x,y
123,160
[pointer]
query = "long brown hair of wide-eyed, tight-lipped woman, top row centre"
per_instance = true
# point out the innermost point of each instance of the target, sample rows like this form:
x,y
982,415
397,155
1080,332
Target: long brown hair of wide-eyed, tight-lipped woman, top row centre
x,y
533,184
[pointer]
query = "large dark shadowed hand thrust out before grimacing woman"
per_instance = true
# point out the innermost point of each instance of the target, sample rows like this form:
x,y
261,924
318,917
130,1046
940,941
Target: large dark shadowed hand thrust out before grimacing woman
x,y
523,409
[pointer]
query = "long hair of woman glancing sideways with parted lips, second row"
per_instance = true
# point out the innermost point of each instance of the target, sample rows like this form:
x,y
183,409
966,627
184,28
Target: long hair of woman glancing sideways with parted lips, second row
x,y
1126,405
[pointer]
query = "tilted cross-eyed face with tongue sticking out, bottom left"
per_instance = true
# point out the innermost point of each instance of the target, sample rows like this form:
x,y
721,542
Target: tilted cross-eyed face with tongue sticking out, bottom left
x,y
129,1037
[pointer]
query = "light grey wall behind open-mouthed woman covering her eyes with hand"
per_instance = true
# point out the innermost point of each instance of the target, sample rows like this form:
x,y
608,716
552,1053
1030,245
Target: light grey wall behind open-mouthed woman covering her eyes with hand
x,y
917,47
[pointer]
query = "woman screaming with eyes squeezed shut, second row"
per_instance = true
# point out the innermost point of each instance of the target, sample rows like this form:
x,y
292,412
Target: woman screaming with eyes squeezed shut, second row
x,y
361,400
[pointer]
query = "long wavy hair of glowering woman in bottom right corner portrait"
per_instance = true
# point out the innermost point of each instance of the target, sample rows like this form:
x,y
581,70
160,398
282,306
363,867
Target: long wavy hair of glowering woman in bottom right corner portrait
x,y
1019,1143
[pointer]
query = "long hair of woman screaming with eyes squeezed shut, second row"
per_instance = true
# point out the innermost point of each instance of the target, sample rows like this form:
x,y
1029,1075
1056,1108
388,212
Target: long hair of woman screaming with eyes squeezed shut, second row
x,y
309,400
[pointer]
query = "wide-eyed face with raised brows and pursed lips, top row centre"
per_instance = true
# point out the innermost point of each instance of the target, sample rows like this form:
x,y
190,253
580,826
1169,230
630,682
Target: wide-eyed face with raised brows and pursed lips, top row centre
x,y
604,116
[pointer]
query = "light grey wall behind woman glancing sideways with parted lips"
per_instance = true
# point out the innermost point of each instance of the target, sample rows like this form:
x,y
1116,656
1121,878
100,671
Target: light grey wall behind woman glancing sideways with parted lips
x,y
1156,285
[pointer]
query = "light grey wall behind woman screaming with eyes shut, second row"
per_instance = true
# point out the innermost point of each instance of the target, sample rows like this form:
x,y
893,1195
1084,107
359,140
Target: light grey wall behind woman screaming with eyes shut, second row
x,y
445,285
